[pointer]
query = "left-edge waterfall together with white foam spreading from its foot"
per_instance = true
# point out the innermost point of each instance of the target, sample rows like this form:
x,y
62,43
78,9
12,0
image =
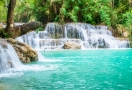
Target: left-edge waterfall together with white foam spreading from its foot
x,y
11,65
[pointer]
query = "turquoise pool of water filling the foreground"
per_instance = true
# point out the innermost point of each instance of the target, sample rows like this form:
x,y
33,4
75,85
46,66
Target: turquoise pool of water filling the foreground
x,y
104,69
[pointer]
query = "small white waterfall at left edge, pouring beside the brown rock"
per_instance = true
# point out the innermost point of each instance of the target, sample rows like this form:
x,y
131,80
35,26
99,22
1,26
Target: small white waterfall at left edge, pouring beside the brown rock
x,y
8,57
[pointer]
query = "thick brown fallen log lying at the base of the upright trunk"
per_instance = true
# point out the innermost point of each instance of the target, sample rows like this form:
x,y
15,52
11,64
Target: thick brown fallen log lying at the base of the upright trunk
x,y
20,30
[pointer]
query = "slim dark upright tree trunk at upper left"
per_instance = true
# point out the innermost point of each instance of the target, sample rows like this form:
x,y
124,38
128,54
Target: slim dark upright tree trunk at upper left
x,y
10,18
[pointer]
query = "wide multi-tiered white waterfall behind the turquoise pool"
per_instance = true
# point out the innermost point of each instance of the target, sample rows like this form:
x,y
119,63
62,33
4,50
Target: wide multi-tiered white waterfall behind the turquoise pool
x,y
88,36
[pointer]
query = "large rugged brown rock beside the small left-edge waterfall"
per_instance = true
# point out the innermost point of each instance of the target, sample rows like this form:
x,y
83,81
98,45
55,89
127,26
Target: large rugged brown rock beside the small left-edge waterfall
x,y
24,51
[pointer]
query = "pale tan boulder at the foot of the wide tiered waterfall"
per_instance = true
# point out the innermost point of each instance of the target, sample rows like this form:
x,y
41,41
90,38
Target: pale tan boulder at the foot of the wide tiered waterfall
x,y
71,45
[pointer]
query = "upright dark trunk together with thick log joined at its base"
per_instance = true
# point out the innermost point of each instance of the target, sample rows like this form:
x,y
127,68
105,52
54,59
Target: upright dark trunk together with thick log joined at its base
x,y
15,31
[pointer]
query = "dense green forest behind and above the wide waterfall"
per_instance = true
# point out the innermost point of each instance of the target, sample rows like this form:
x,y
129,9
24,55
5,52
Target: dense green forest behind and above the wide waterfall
x,y
102,12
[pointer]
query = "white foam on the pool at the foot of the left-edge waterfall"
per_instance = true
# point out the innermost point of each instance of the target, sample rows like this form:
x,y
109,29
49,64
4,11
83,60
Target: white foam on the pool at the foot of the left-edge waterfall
x,y
20,70
